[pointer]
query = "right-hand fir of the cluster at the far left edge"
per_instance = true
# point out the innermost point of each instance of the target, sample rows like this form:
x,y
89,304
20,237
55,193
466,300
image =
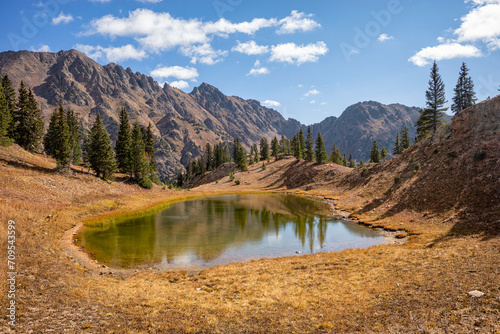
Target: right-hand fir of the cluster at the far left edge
x,y
28,124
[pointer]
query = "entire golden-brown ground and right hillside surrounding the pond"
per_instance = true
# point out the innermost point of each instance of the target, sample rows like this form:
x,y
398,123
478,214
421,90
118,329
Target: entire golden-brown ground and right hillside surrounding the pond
x,y
448,206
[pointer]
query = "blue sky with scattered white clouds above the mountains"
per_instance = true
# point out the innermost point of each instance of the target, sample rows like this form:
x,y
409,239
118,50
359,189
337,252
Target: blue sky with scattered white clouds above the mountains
x,y
307,59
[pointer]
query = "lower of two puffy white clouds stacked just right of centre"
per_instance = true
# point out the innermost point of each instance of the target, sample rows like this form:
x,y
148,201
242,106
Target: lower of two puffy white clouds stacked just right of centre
x,y
299,54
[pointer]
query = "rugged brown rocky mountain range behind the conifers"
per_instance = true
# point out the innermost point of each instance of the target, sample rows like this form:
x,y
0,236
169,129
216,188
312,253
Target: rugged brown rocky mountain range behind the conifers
x,y
183,123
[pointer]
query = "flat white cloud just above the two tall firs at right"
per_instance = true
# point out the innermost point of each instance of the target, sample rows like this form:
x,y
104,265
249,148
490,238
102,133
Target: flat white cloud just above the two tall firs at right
x,y
444,51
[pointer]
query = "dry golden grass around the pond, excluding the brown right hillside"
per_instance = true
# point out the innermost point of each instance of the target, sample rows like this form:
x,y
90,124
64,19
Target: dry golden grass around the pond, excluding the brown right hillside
x,y
418,287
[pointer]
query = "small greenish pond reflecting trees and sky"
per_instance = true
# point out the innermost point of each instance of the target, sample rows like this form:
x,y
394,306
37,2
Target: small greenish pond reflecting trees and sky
x,y
218,230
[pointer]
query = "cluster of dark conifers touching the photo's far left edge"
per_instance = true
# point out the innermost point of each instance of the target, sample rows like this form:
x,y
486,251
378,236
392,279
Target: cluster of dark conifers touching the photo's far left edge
x,y
20,119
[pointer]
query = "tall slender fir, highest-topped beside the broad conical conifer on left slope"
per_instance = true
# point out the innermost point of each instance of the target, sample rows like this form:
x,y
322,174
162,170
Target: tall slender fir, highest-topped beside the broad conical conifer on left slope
x,y
123,145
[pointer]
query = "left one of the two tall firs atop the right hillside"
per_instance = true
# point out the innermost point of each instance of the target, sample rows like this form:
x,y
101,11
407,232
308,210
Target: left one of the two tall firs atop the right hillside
x,y
431,117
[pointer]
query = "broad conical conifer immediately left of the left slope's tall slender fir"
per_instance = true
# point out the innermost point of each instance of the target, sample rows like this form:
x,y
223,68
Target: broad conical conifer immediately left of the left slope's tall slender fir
x,y
100,153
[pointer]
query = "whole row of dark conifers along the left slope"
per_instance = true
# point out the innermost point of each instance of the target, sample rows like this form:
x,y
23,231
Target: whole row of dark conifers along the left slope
x,y
21,122
